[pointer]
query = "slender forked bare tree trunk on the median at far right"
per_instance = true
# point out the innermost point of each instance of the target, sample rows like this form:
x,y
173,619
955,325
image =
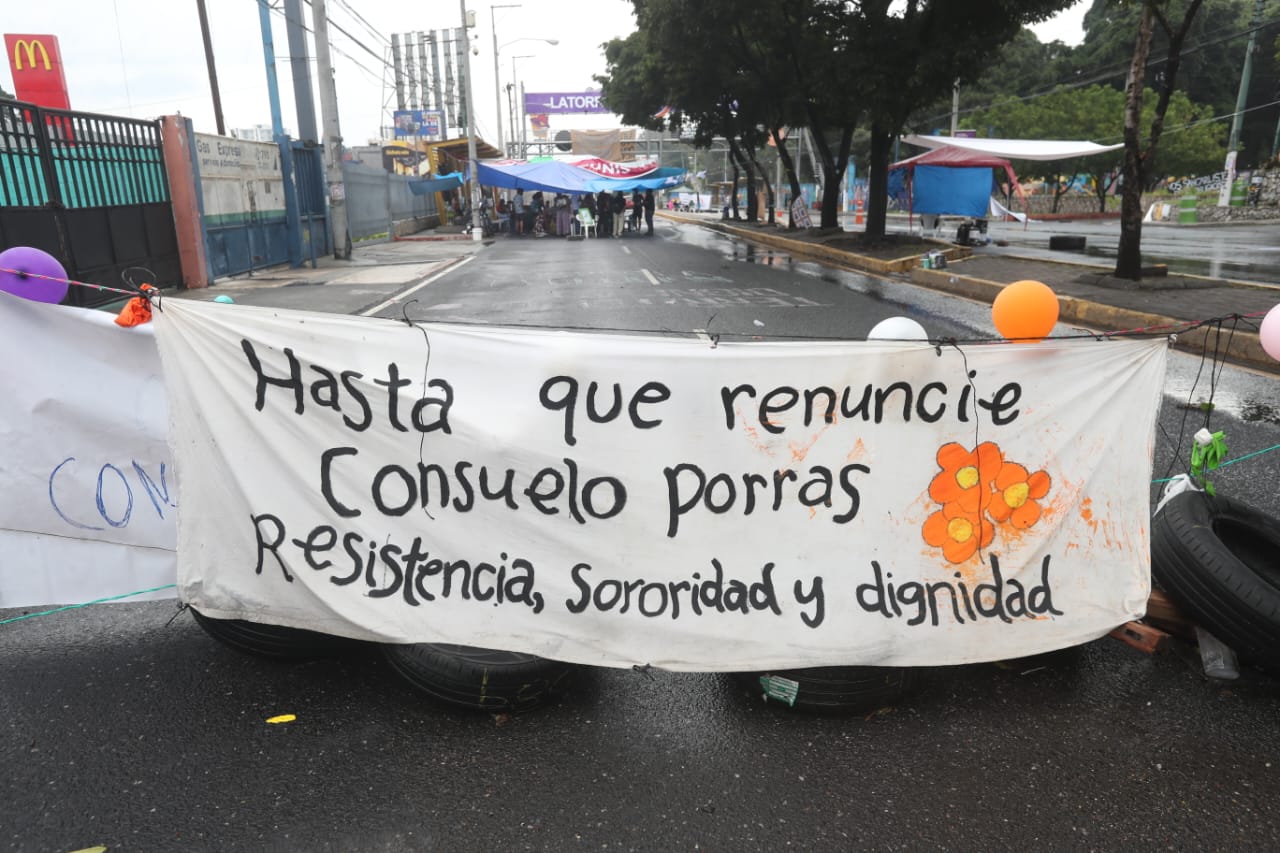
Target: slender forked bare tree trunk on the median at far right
x,y
1140,153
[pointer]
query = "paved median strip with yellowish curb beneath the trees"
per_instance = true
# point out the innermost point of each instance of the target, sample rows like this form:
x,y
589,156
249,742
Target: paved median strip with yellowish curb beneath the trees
x,y
1089,295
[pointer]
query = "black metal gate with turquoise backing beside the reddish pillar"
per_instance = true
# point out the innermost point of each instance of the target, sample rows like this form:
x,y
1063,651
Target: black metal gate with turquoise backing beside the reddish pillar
x,y
92,191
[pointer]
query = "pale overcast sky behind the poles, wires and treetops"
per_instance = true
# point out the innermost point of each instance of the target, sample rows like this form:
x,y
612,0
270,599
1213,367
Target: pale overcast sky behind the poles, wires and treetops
x,y
145,58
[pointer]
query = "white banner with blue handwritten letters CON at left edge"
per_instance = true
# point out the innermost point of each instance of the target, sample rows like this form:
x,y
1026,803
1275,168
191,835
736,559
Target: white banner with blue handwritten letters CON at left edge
x,y
89,489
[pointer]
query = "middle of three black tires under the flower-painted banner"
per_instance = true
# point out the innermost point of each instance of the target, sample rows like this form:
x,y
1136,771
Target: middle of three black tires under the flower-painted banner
x,y
478,679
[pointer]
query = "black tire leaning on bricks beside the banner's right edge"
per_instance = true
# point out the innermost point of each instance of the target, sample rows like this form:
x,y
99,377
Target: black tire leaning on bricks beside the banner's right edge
x,y
1220,560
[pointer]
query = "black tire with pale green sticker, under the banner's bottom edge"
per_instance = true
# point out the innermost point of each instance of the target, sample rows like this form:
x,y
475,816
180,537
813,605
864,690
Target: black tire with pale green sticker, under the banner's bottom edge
x,y
835,690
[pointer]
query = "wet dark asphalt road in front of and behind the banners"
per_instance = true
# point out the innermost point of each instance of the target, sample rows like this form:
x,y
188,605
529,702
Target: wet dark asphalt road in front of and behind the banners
x,y
121,729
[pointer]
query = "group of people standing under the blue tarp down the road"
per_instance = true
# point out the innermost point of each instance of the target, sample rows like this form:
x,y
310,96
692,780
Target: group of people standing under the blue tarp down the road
x,y
560,217
